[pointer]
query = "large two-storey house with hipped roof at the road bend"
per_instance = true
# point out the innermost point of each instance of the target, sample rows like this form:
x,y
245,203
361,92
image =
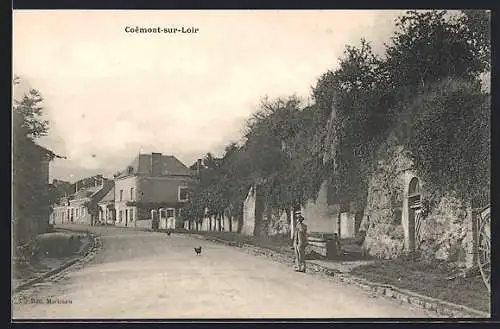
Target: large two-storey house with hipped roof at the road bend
x,y
153,183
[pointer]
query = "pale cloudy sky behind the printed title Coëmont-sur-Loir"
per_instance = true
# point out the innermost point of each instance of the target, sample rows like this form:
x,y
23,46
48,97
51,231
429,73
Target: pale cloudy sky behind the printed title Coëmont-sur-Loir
x,y
110,95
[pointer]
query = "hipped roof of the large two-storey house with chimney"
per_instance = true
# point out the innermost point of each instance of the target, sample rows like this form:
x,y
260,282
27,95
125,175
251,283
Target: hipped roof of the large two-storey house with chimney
x,y
170,166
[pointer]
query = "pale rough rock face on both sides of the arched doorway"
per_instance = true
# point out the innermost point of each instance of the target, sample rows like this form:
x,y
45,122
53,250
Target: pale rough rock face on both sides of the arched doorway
x,y
444,231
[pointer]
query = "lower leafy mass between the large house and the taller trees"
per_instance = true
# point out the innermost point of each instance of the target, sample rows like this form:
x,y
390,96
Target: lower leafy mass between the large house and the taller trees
x,y
273,156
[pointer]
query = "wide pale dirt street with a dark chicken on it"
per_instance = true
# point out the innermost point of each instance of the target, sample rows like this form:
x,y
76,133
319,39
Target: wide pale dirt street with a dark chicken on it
x,y
152,275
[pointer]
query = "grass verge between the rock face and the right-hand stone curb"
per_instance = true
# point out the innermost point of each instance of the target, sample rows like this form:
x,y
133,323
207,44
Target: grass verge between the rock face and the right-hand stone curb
x,y
429,280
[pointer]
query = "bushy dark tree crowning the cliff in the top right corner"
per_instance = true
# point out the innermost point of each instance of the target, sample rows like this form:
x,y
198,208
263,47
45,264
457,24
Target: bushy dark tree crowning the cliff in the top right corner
x,y
432,45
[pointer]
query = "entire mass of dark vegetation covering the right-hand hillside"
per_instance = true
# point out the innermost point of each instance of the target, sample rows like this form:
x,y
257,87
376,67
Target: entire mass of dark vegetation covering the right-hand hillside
x,y
425,86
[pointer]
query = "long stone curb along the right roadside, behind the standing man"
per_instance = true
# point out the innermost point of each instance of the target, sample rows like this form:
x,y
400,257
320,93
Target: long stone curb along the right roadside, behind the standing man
x,y
440,307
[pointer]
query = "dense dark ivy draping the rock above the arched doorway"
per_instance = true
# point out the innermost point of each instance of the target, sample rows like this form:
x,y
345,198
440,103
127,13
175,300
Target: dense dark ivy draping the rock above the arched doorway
x,y
449,139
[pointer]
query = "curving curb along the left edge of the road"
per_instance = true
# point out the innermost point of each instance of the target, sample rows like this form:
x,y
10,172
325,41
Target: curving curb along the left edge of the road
x,y
85,251
